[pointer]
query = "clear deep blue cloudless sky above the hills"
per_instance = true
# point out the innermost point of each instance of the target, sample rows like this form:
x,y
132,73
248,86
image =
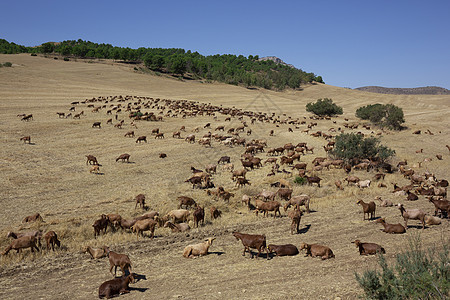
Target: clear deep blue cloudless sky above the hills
x,y
395,43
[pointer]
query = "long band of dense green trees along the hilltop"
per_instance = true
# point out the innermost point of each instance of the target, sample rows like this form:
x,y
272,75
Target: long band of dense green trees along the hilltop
x,y
232,69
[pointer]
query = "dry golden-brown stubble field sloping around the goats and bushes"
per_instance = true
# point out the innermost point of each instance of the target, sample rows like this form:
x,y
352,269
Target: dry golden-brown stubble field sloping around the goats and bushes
x,y
50,176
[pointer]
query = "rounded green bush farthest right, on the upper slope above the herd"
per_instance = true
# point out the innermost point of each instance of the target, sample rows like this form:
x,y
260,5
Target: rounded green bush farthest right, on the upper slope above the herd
x,y
384,115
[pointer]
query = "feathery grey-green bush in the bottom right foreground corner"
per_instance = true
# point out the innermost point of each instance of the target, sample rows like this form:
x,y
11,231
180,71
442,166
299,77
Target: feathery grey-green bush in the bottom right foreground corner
x,y
417,274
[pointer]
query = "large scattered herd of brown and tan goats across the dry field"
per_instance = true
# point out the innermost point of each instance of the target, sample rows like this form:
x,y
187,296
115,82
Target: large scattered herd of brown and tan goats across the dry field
x,y
284,160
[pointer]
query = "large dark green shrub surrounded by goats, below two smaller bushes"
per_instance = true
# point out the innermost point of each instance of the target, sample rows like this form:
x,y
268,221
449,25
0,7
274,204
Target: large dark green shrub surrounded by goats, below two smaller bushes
x,y
351,145
